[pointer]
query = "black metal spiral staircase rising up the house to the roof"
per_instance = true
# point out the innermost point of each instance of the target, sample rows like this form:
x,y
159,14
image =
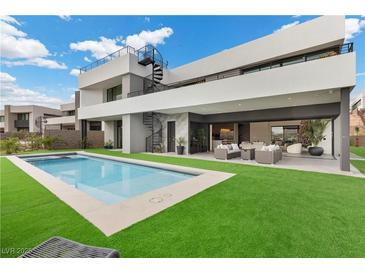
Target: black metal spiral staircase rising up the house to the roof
x,y
149,55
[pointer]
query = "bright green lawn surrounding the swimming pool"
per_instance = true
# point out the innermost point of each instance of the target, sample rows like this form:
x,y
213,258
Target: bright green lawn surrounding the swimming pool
x,y
260,212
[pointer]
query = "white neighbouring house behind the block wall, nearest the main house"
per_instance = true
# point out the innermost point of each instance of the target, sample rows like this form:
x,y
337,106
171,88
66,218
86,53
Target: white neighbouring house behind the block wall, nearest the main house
x,y
69,119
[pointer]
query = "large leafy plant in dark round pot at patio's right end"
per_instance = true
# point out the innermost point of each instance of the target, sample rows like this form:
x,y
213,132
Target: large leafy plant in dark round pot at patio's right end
x,y
315,135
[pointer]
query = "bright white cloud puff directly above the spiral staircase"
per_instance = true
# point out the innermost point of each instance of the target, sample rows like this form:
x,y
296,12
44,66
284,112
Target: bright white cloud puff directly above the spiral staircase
x,y
149,37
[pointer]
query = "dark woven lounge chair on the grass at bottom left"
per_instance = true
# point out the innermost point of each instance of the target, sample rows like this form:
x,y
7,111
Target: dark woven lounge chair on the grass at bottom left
x,y
58,247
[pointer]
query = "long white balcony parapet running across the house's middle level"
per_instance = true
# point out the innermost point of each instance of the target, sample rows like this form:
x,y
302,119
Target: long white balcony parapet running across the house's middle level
x,y
310,82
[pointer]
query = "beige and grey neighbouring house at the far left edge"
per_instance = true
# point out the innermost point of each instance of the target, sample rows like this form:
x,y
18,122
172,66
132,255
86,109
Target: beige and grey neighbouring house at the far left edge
x,y
27,118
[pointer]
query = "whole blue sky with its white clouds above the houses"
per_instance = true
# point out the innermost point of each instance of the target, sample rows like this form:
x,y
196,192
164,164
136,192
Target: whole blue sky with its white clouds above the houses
x,y
39,52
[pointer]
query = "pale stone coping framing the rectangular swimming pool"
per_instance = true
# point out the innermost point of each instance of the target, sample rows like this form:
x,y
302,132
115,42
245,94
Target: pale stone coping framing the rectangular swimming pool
x,y
113,218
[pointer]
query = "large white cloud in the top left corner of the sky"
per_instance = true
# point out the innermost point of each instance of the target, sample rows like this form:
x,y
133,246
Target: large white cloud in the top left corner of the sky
x,y
19,50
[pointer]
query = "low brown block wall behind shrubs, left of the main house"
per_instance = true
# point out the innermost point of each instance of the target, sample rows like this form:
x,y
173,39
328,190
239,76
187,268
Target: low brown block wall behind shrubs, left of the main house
x,y
71,138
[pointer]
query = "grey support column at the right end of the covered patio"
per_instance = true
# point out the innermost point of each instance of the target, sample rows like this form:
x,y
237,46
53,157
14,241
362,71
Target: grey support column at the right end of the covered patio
x,y
345,130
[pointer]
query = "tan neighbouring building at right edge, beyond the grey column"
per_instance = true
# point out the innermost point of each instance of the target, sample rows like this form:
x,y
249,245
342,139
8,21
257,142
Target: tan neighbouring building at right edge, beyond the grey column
x,y
357,115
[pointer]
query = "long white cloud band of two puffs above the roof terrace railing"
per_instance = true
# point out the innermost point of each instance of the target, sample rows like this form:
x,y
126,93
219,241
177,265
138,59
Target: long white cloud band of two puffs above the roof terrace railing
x,y
104,46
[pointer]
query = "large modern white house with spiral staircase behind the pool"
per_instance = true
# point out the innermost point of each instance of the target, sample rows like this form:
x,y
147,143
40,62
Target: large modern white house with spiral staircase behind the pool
x,y
257,91
